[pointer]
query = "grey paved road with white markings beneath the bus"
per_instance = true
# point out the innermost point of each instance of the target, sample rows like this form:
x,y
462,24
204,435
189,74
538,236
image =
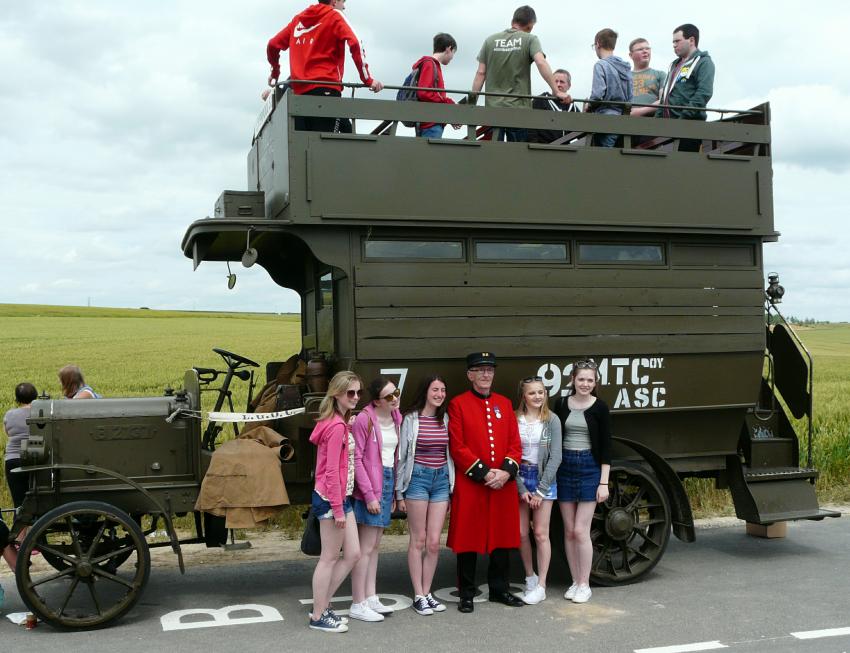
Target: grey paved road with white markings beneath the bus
x,y
726,591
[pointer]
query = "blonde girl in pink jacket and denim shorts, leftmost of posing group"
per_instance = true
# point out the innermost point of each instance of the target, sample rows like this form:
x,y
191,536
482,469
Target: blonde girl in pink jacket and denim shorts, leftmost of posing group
x,y
330,502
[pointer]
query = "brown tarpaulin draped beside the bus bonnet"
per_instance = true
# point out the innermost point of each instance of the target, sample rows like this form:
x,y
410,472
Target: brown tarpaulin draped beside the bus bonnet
x,y
244,483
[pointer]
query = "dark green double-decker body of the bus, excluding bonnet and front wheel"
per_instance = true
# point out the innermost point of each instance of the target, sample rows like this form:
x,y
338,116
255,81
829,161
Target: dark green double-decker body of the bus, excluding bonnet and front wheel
x,y
408,253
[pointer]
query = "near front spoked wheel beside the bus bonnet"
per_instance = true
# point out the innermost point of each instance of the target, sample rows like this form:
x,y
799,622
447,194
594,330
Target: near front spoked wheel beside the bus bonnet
x,y
85,588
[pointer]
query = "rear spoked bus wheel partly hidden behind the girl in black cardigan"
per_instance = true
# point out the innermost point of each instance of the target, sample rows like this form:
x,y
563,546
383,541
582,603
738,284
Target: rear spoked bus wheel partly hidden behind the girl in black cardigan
x,y
631,529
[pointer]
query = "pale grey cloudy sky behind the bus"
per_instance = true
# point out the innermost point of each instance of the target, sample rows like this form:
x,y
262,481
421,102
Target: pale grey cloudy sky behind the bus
x,y
122,122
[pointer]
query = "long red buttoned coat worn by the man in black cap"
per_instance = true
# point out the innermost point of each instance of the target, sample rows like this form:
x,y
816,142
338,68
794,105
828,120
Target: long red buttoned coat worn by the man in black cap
x,y
483,434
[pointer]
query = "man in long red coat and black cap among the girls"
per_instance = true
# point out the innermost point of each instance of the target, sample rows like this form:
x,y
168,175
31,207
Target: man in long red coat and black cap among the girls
x,y
485,447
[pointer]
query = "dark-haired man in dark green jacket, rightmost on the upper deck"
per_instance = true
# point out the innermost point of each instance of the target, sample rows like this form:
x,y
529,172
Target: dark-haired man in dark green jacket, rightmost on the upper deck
x,y
690,79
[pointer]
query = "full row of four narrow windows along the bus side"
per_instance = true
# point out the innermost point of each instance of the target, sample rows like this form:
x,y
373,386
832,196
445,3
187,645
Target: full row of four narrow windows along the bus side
x,y
559,252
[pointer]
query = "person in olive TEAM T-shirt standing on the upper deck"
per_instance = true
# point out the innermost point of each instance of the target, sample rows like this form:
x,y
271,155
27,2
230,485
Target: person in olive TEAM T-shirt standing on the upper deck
x,y
504,63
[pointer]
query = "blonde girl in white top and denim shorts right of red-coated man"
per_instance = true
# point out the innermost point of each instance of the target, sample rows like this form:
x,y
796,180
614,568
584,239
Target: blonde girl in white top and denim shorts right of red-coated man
x,y
540,434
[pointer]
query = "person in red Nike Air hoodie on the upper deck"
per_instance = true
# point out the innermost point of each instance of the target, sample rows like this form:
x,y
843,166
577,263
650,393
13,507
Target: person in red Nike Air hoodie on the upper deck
x,y
316,40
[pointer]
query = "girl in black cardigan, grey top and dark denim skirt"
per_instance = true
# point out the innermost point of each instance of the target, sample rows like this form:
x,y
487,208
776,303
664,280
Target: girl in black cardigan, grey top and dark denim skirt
x,y
583,475
